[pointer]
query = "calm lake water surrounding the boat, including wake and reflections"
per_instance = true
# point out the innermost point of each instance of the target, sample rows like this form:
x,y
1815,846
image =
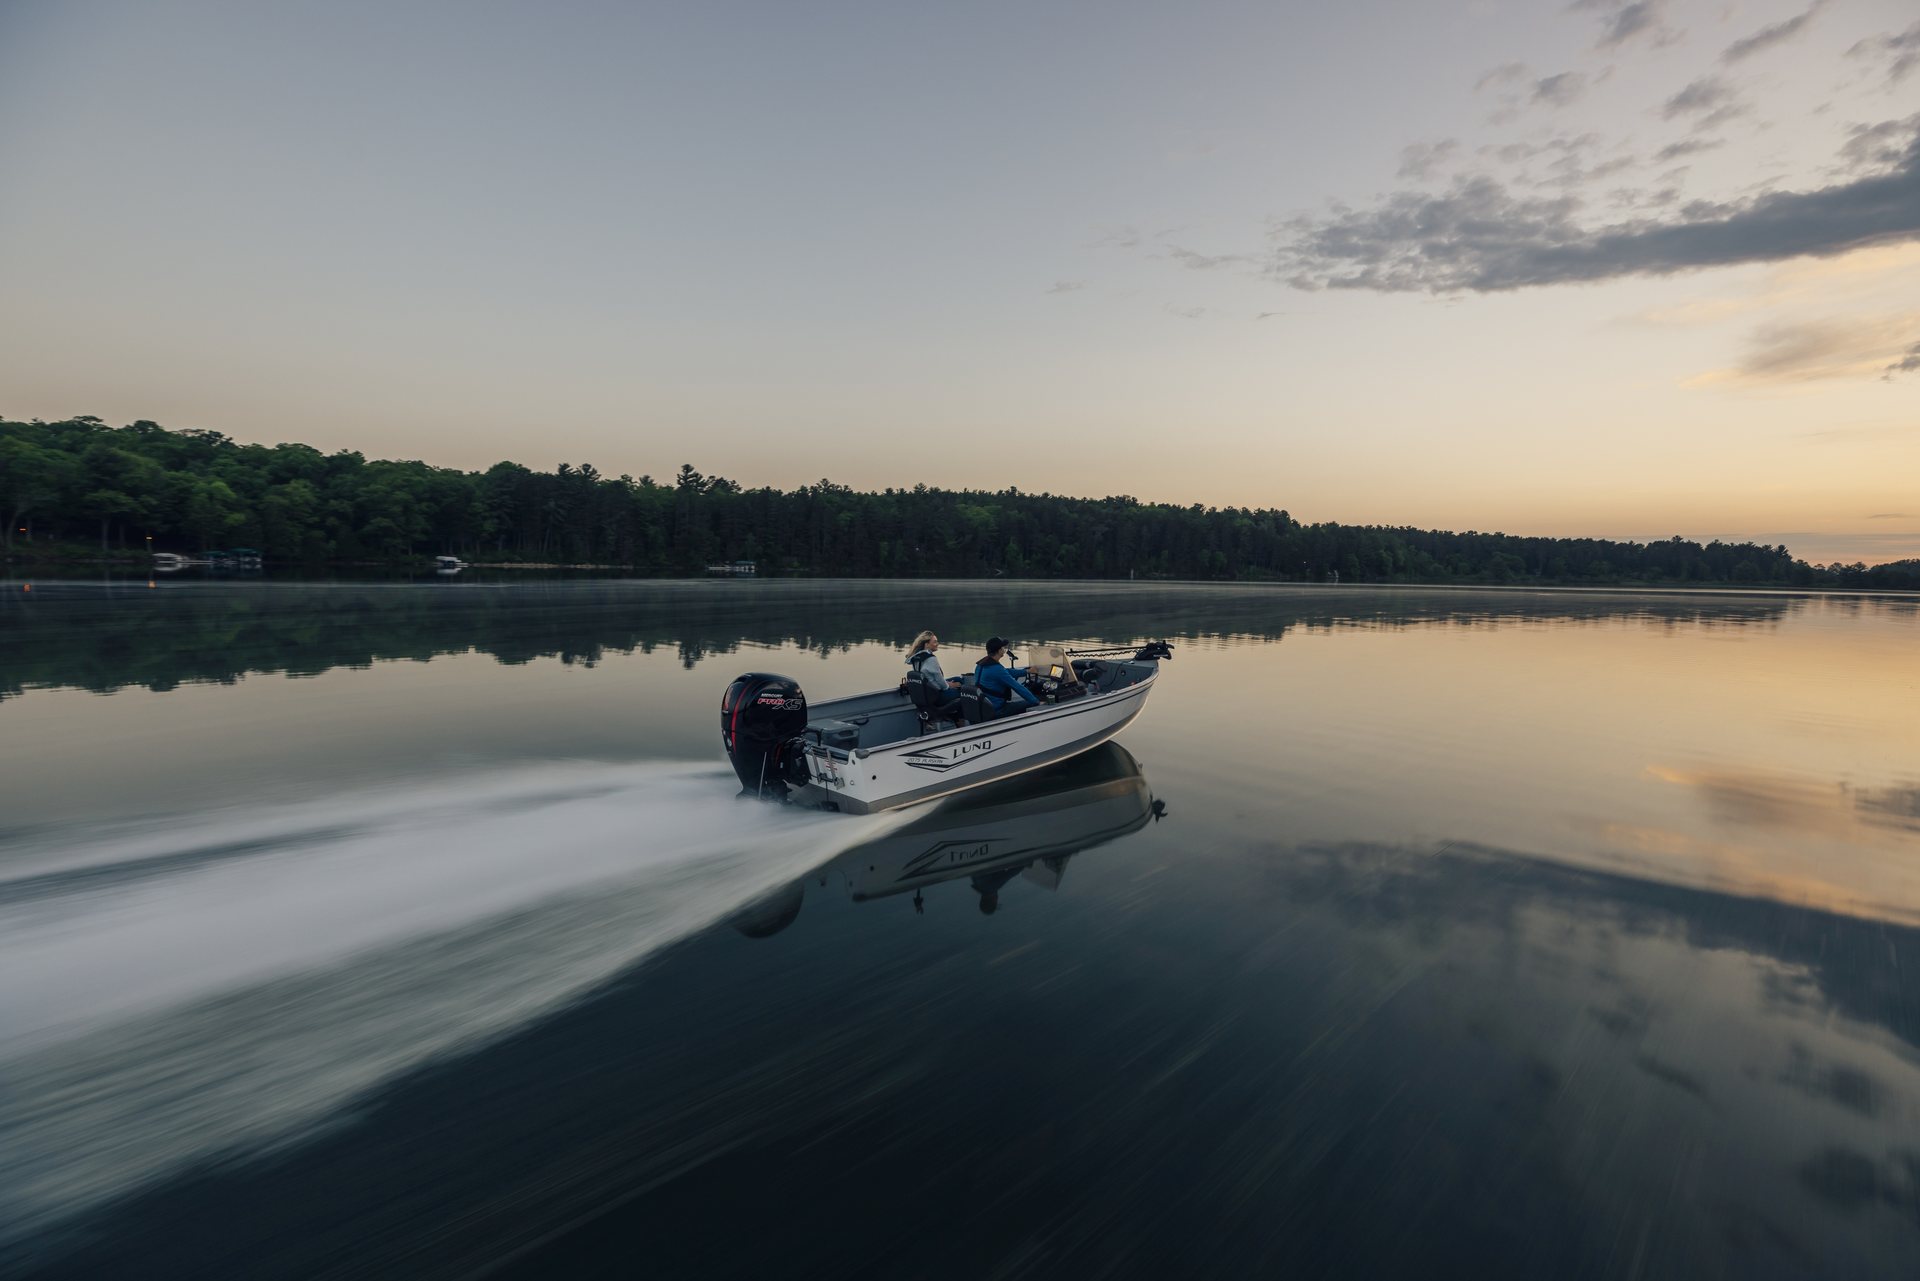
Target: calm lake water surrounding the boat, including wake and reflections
x,y
412,929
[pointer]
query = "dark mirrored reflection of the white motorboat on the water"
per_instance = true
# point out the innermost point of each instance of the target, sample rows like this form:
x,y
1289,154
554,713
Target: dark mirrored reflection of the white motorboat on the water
x,y
1026,829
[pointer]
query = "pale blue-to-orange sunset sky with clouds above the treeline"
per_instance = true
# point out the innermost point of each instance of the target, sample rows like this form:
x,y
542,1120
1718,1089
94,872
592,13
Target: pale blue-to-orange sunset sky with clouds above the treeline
x,y
1595,268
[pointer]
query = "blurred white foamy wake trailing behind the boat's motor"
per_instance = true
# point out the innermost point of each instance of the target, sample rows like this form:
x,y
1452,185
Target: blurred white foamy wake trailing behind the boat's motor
x,y
201,988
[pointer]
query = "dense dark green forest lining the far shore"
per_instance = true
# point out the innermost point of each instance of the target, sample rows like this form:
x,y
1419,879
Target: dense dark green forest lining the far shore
x,y
143,487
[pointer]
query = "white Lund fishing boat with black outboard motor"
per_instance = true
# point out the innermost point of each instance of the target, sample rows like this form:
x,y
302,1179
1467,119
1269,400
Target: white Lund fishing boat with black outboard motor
x,y
890,748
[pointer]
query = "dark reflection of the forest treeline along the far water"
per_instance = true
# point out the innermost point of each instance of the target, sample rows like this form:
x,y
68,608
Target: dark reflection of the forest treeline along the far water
x,y
108,639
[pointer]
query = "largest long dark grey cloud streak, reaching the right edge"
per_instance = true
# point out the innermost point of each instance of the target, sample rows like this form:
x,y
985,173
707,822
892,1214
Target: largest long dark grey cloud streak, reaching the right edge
x,y
1481,237
